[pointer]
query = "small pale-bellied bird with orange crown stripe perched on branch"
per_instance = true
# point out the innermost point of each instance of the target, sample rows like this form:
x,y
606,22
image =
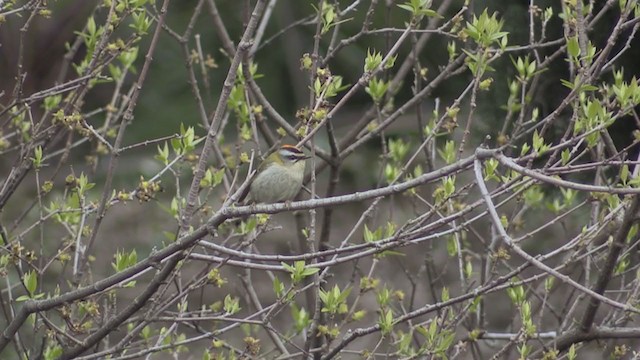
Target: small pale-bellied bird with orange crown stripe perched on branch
x,y
279,176
